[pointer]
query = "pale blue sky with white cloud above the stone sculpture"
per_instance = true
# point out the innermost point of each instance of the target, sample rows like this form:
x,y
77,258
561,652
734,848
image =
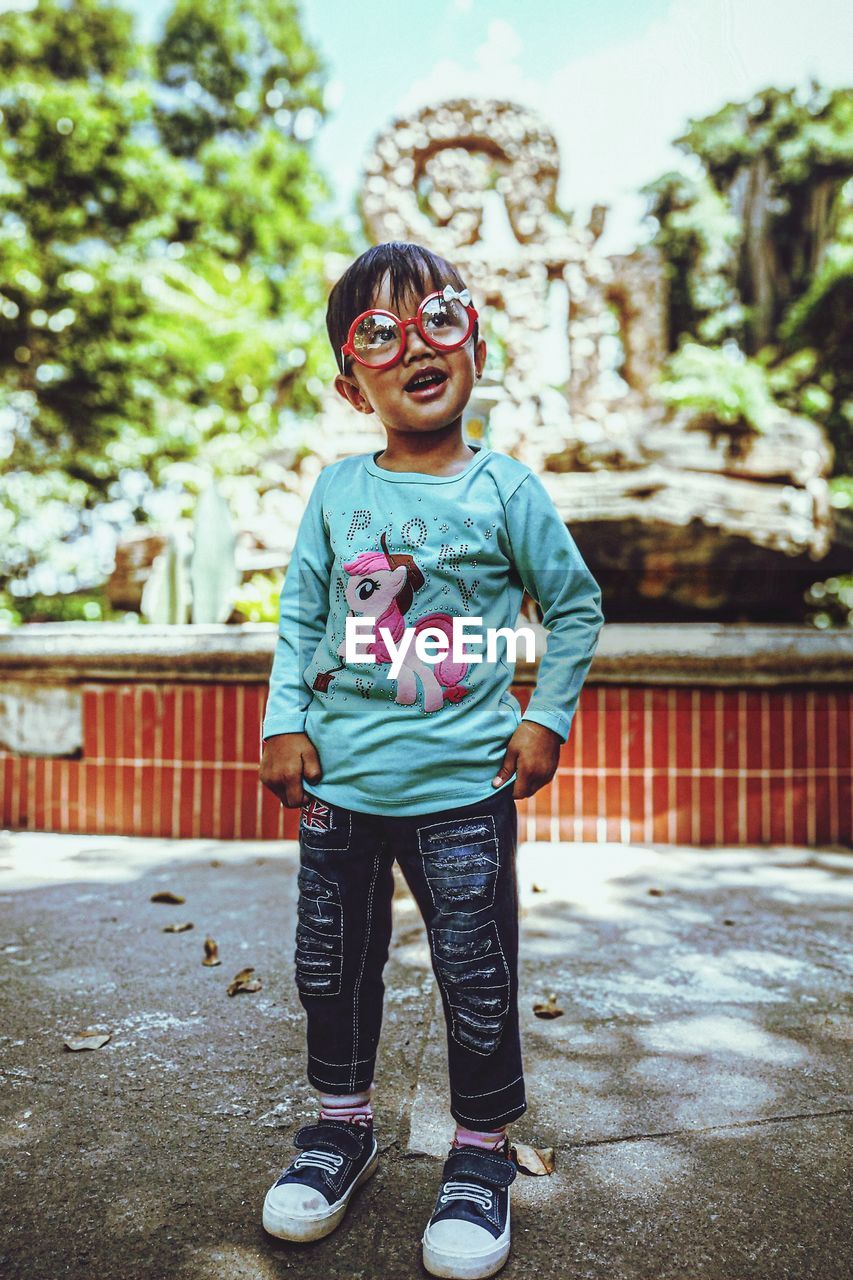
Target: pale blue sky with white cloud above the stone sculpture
x,y
615,80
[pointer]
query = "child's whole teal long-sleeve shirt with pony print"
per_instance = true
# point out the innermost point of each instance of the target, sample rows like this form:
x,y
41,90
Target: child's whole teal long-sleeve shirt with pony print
x,y
404,550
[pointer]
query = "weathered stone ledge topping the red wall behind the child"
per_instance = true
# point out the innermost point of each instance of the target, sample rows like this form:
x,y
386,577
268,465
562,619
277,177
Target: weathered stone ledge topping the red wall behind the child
x,y
658,653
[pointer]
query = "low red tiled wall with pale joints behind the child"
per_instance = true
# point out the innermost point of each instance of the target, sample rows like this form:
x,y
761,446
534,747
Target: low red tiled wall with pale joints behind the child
x,y
708,766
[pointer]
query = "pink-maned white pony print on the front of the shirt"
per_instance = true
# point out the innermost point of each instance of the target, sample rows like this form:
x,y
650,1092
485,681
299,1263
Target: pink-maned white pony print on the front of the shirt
x,y
381,587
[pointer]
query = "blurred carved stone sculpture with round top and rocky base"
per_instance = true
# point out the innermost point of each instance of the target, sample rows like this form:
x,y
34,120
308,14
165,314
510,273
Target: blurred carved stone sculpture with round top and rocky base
x,y
573,394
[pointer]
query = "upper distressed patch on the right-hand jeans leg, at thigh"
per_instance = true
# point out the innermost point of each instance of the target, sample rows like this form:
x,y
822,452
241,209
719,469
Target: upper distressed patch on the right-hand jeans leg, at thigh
x,y
460,863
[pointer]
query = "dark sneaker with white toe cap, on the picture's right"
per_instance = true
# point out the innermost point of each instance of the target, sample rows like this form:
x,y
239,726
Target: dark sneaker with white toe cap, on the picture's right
x,y
468,1237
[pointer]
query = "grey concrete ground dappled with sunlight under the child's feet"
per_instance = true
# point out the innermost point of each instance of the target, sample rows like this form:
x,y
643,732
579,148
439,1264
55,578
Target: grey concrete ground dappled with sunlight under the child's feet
x,y
696,1087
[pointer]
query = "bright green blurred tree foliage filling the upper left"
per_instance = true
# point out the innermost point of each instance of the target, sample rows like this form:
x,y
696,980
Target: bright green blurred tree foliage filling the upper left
x,y
162,243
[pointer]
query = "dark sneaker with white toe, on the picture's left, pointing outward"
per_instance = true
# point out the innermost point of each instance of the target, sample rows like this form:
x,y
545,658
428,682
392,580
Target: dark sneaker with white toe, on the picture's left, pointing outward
x,y
312,1196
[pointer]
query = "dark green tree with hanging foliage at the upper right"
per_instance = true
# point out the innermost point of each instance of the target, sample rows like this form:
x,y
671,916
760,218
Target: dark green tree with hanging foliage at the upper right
x,y
759,245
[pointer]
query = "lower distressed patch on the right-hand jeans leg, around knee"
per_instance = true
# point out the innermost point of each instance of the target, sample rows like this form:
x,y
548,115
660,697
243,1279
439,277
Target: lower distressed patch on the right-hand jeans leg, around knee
x,y
473,973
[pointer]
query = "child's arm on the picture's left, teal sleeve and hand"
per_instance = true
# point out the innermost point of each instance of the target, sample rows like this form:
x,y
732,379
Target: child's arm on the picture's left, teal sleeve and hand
x,y
304,606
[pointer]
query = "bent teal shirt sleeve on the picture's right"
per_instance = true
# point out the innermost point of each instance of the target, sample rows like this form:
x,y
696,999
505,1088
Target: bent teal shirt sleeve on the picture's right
x,y
555,574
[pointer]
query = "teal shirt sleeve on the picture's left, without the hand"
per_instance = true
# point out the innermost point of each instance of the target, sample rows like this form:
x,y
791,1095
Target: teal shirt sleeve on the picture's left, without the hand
x,y
303,614
